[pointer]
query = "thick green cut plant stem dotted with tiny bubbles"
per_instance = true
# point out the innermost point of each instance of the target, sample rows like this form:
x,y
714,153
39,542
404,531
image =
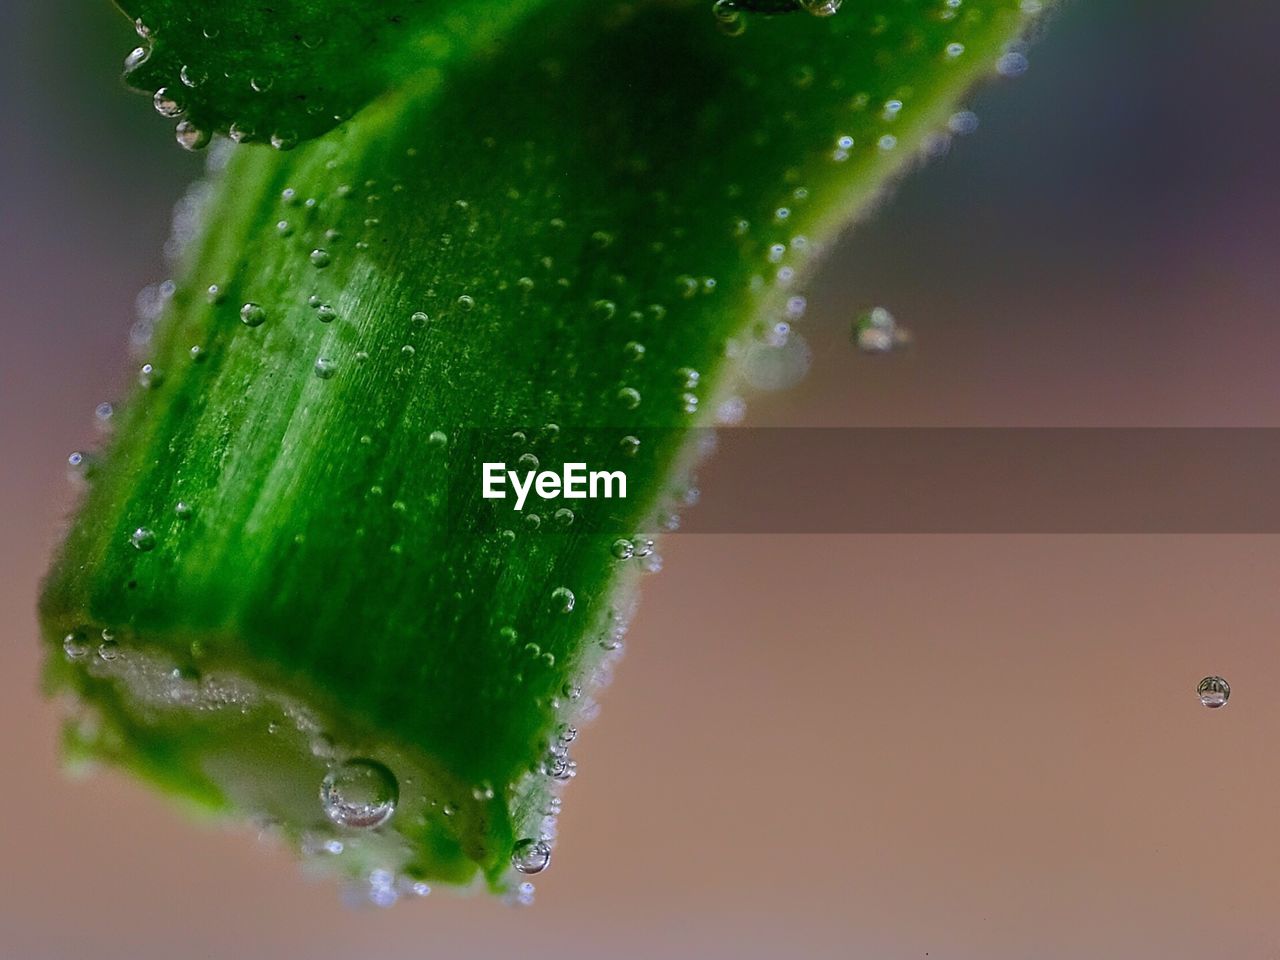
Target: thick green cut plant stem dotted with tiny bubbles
x,y
547,249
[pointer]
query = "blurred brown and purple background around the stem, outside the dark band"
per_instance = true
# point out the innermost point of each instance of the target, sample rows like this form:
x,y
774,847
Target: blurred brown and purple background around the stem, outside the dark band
x,y
847,747
